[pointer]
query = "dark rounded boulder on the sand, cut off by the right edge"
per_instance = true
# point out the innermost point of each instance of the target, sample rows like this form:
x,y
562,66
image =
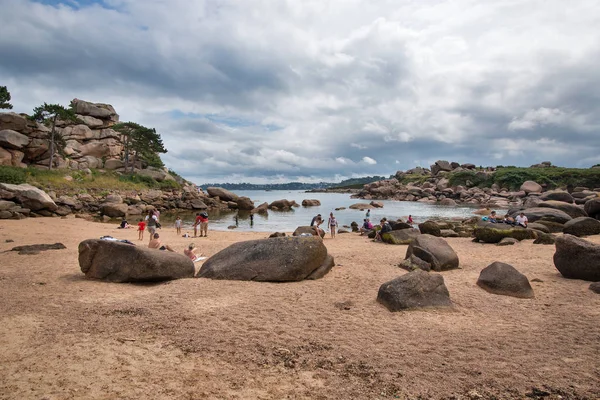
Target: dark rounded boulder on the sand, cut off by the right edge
x,y
576,258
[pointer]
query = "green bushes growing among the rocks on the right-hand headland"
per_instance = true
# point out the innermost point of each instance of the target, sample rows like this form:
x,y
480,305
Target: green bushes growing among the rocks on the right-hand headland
x,y
512,177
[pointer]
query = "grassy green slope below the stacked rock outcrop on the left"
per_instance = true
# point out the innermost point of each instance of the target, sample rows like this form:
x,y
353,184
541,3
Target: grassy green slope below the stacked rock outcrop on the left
x,y
57,179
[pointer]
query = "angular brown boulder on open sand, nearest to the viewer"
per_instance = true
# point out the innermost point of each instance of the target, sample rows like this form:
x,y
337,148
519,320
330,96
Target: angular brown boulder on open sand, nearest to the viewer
x,y
417,289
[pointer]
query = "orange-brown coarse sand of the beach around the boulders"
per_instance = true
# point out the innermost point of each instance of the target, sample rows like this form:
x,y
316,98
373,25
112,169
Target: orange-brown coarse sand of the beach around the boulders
x,y
63,336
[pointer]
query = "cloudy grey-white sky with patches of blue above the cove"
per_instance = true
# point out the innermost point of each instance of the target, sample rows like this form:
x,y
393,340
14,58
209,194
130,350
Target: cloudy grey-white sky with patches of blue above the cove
x,y
279,90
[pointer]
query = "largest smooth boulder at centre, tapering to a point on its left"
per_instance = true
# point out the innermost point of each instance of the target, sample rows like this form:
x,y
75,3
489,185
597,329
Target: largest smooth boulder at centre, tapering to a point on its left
x,y
280,259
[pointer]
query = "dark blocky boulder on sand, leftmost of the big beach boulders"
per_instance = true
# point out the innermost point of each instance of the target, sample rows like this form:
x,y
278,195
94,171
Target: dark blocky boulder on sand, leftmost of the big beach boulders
x,y
120,262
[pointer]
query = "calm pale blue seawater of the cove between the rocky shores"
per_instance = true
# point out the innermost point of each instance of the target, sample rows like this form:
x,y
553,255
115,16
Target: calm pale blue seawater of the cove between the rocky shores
x,y
286,221
